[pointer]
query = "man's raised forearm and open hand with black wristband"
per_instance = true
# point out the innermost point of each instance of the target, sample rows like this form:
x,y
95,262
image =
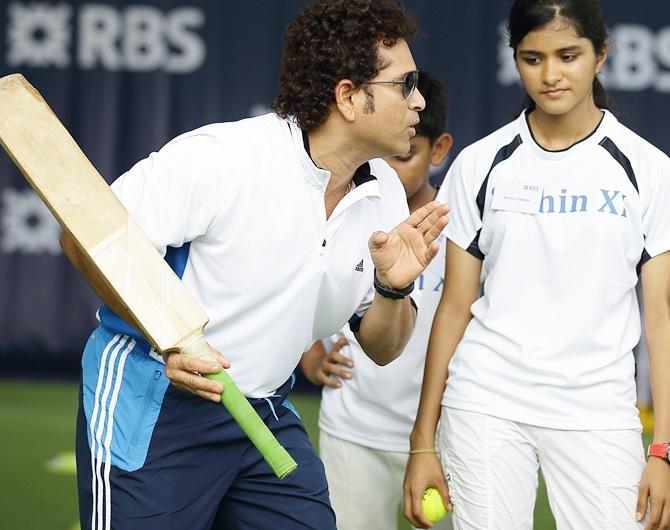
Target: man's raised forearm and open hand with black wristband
x,y
399,256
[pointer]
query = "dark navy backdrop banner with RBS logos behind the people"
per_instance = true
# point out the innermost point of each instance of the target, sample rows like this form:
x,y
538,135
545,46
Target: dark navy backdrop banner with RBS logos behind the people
x,y
126,77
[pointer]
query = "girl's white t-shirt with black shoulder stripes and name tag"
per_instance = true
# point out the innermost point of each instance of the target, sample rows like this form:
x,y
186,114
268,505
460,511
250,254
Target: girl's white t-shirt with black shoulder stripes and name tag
x,y
561,236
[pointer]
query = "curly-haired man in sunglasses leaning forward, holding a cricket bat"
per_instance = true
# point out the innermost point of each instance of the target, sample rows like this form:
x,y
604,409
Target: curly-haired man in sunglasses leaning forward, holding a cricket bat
x,y
284,227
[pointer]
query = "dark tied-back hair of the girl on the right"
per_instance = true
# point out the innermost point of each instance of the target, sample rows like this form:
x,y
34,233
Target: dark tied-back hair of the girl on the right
x,y
585,15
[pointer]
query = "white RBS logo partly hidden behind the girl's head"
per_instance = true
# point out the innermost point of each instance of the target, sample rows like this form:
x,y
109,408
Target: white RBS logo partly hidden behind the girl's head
x,y
639,59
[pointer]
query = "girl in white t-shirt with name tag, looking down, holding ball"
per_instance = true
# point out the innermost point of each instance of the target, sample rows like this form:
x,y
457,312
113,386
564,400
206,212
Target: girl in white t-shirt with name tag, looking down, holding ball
x,y
554,218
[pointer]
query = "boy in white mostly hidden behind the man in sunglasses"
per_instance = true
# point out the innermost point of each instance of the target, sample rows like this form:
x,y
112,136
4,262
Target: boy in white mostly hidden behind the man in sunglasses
x,y
366,417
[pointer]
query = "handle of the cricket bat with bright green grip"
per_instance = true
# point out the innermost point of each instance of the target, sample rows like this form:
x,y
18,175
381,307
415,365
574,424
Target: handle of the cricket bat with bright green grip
x,y
244,414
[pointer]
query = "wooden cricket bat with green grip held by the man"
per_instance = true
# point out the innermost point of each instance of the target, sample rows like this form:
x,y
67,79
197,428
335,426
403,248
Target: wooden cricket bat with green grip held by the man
x,y
124,258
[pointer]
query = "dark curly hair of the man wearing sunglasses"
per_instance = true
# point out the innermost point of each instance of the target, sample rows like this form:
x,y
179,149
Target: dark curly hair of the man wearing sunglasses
x,y
331,40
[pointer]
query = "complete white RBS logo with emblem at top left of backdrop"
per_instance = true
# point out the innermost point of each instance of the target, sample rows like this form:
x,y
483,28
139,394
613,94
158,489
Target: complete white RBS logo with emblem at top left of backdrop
x,y
135,38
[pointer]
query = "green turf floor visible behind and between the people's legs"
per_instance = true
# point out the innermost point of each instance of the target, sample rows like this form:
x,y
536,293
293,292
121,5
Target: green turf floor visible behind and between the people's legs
x,y
37,422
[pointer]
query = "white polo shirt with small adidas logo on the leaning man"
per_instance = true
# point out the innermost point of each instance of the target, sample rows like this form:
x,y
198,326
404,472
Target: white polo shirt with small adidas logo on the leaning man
x,y
243,204
